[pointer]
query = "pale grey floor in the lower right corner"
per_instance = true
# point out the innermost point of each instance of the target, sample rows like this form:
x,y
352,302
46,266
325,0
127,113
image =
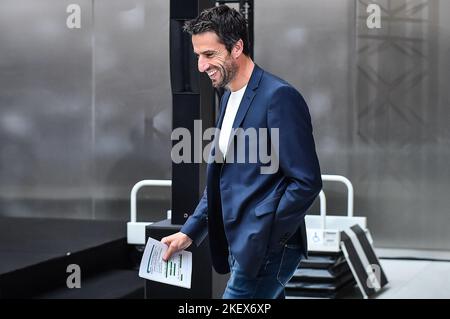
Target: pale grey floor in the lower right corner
x,y
414,279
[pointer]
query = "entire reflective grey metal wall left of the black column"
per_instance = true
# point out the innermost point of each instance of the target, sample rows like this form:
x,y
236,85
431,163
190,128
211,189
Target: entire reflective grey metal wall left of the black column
x,y
84,113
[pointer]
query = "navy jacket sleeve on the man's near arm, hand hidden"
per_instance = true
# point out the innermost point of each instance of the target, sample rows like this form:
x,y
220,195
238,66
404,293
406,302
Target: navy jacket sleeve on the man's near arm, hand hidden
x,y
297,158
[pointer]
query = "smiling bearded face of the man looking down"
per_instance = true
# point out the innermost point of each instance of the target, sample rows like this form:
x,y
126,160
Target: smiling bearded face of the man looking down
x,y
214,59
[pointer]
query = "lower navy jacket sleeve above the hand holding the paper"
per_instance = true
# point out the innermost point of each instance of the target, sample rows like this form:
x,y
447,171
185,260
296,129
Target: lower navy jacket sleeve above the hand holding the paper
x,y
196,227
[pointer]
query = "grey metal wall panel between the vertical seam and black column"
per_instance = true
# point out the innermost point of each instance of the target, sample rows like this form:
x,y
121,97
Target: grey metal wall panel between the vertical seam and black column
x,y
133,118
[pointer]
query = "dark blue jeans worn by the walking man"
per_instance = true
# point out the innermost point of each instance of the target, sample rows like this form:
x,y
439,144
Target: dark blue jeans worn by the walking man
x,y
276,270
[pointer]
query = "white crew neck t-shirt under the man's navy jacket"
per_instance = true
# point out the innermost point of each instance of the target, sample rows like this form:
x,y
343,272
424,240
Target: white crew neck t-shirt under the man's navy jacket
x,y
230,113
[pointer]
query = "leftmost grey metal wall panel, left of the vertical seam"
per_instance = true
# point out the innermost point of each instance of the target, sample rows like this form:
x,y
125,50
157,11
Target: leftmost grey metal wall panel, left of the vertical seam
x,y
45,101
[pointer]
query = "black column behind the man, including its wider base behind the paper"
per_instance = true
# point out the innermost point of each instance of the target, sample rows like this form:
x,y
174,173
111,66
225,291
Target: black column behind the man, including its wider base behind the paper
x,y
192,99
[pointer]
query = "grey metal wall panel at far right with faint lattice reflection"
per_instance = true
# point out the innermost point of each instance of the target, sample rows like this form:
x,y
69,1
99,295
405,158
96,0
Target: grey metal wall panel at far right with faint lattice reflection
x,y
399,130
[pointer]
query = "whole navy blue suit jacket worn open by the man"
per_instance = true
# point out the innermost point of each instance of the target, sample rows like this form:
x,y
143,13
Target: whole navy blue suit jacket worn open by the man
x,y
251,213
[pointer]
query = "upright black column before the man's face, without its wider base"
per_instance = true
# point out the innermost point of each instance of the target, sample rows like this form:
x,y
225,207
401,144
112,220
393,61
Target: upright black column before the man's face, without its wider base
x,y
192,99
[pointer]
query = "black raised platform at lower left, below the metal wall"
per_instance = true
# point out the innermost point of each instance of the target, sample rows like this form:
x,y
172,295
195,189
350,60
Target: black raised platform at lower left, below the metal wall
x,y
39,251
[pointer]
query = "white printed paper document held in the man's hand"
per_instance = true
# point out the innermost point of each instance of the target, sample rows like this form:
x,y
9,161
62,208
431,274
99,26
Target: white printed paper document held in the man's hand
x,y
176,271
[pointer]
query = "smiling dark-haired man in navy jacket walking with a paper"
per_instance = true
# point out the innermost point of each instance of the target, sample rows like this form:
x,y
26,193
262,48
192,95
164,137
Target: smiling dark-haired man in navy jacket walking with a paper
x,y
255,221
